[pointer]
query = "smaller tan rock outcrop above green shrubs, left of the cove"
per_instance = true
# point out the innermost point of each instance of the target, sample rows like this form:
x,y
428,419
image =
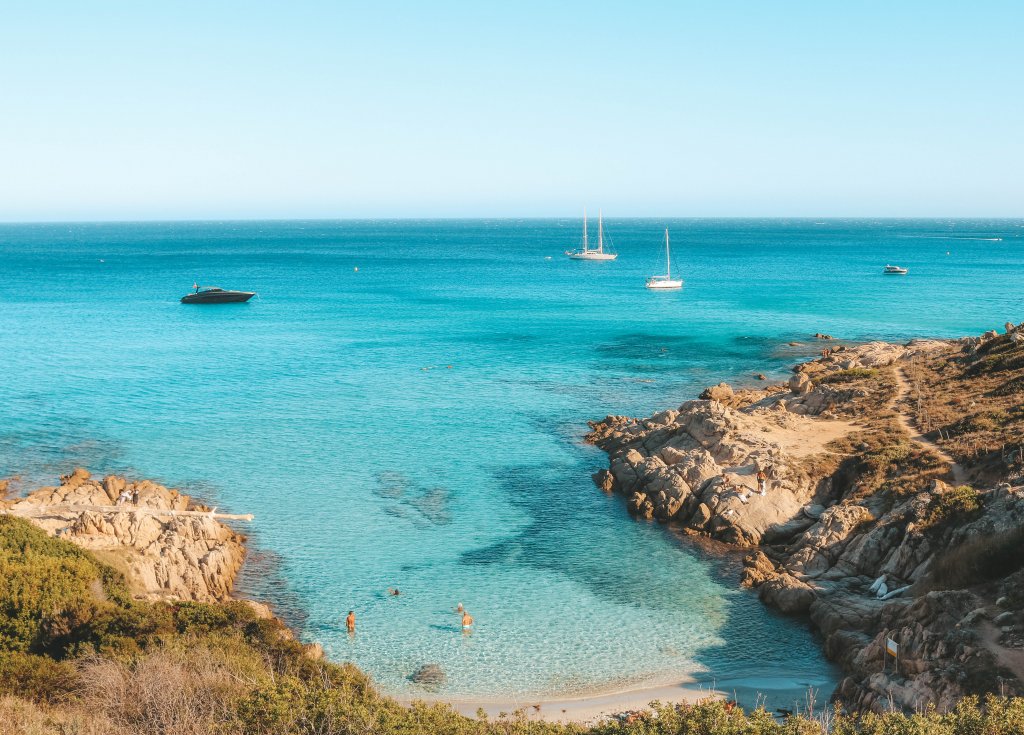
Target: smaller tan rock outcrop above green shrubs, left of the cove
x,y
164,556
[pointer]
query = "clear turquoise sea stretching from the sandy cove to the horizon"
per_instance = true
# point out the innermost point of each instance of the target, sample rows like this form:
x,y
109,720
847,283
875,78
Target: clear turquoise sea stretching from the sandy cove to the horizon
x,y
417,422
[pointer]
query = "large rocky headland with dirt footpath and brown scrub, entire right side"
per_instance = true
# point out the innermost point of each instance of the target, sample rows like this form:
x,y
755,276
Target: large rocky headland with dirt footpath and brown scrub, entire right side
x,y
892,506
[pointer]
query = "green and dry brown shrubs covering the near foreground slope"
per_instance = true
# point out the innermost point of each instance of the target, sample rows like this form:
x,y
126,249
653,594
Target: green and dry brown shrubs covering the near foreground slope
x,y
79,657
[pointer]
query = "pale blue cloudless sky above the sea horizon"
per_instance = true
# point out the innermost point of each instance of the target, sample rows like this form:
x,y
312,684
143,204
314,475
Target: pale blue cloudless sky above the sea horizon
x,y
245,110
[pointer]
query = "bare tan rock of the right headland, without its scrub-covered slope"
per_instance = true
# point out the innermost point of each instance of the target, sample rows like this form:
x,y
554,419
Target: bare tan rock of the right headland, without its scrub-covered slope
x,y
858,566
